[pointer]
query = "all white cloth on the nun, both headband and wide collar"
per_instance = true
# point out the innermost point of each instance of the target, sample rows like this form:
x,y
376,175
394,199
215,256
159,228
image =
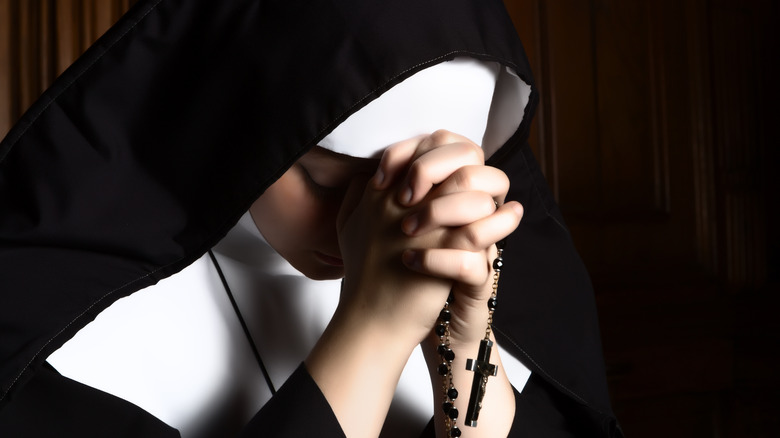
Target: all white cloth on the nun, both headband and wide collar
x,y
177,350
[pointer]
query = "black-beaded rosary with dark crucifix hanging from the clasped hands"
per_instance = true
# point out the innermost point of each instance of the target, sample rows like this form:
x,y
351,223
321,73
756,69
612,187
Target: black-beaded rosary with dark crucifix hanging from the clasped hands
x,y
481,366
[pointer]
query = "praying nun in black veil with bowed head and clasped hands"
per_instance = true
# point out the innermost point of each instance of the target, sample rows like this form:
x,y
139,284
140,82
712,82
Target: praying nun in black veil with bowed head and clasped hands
x,y
252,219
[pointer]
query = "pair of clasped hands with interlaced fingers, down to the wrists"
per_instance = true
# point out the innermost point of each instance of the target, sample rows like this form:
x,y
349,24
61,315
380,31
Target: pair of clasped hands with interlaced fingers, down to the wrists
x,y
424,226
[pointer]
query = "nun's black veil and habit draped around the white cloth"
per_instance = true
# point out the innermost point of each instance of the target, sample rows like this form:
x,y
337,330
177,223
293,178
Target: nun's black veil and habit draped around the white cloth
x,y
147,150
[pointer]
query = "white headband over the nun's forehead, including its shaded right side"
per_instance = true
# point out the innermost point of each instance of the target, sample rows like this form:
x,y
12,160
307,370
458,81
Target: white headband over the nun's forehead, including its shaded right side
x,y
458,95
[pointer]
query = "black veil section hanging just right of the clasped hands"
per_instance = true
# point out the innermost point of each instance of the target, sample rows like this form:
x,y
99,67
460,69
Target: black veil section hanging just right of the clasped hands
x,y
547,314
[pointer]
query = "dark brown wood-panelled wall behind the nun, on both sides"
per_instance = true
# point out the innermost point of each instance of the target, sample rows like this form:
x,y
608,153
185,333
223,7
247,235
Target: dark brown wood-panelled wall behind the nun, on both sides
x,y
655,132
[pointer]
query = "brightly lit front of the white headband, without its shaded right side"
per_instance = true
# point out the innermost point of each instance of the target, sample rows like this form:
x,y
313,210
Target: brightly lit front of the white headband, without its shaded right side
x,y
454,95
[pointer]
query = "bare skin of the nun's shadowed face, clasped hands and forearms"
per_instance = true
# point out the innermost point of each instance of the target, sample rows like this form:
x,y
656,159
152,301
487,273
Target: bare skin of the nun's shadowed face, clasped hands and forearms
x,y
402,232
